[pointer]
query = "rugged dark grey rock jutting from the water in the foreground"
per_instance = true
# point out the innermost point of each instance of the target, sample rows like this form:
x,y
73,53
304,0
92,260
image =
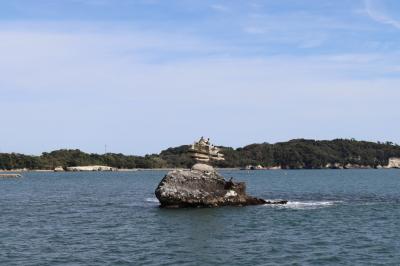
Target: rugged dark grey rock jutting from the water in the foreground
x,y
202,186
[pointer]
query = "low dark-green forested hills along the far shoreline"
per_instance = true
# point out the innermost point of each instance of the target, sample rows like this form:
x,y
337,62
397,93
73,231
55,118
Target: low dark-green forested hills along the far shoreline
x,y
294,154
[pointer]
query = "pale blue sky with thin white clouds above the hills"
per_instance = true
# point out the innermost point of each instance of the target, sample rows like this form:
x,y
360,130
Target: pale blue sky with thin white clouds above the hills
x,y
143,75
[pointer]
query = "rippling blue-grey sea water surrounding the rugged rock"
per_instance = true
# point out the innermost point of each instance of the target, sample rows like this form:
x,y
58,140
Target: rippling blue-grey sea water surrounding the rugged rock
x,y
334,217
